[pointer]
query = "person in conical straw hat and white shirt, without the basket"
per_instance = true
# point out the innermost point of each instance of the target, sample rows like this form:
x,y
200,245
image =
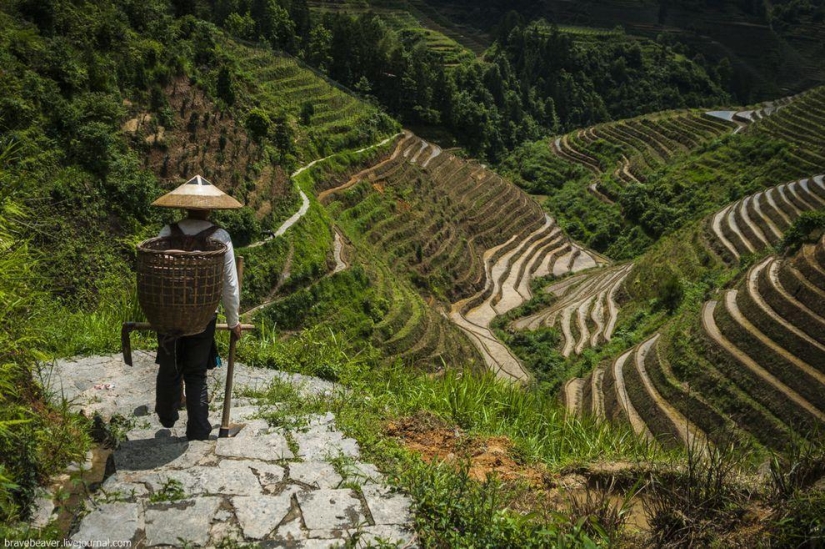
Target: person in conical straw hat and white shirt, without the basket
x,y
186,359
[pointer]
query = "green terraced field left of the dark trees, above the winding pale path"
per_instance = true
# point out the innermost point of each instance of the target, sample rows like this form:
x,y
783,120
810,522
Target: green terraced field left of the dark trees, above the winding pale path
x,y
289,85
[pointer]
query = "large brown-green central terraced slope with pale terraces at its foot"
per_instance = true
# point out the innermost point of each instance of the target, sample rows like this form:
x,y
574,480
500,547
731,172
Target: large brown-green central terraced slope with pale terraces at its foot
x,y
468,240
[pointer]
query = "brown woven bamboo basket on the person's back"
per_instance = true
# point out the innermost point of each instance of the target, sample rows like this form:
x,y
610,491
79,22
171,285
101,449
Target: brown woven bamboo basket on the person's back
x,y
179,290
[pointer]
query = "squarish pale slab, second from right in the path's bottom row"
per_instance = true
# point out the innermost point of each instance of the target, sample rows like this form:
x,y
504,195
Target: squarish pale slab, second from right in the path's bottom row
x,y
330,509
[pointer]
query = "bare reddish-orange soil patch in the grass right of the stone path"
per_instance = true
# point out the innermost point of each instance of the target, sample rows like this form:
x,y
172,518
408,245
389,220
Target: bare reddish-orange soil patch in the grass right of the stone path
x,y
436,441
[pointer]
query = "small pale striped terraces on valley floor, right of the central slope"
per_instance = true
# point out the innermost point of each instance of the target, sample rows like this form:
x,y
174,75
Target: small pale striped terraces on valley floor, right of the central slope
x,y
585,309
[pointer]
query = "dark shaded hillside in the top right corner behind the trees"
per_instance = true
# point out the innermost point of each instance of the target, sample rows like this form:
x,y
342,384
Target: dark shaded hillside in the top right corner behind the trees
x,y
772,49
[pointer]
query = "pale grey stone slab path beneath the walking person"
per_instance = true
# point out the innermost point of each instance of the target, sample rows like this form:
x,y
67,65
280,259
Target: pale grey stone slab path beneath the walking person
x,y
298,487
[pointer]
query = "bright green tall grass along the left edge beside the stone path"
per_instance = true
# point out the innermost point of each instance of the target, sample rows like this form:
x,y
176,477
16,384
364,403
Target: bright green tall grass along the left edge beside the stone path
x,y
36,439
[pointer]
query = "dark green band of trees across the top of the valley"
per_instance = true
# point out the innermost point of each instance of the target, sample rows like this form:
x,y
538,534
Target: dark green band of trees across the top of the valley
x,y
533,82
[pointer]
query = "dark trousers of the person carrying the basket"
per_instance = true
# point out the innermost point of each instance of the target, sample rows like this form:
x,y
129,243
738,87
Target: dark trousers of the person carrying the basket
x,y
185,359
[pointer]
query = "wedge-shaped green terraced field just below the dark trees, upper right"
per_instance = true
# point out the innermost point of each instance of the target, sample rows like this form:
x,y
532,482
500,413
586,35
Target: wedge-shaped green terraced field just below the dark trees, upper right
x,y
620,153
